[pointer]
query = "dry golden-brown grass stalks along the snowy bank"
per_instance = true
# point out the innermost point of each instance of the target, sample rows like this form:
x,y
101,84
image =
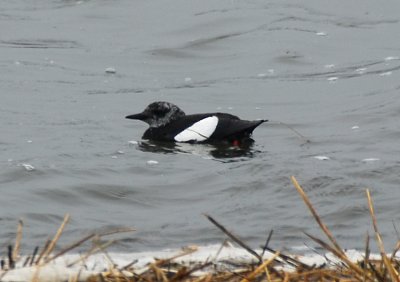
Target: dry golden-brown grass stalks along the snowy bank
x,y
278,267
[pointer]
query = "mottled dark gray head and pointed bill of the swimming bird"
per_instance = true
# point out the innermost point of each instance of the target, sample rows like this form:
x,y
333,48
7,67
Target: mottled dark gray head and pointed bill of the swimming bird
x,y
158,114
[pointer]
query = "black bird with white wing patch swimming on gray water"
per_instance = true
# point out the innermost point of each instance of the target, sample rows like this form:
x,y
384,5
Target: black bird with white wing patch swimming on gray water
x,y
169,123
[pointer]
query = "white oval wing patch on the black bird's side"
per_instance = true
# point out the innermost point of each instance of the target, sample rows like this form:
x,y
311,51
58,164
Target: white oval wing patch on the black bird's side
x,y
199,131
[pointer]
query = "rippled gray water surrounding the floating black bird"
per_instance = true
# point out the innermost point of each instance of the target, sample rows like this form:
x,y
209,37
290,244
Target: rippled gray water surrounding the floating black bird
x,y
328,69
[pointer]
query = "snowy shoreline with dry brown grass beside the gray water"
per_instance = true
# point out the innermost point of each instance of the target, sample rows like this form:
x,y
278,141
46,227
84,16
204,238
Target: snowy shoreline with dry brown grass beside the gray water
x,y
233,260
